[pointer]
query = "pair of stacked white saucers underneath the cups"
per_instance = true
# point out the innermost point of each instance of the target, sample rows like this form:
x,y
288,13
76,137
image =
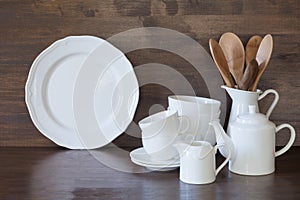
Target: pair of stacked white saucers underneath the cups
x,y
140,157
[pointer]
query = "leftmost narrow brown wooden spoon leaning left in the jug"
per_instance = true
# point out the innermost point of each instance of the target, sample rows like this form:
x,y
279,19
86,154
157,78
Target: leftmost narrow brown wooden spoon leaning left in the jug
x,y
220,60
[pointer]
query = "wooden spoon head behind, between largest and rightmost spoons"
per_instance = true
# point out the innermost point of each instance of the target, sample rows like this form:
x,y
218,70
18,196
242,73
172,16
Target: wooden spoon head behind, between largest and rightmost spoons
x,y
252,48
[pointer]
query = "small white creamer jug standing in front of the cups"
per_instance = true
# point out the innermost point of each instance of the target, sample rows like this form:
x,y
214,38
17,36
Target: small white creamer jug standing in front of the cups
x,y
197,162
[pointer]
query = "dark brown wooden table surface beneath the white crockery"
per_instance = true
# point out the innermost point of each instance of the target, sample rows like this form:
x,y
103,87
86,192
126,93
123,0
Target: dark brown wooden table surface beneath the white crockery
x,y
107,173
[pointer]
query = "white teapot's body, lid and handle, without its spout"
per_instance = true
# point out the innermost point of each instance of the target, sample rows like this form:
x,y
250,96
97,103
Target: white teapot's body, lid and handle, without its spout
x,y
253,136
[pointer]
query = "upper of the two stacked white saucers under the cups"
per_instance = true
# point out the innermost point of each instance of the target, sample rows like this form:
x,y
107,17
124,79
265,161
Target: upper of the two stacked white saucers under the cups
x,y
141,156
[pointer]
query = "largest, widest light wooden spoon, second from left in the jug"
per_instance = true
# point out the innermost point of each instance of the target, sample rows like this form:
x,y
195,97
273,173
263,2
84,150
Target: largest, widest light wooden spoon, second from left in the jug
x,y
234,53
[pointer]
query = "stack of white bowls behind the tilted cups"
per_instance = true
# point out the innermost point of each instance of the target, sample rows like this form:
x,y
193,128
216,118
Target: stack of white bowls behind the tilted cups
x,y
200,111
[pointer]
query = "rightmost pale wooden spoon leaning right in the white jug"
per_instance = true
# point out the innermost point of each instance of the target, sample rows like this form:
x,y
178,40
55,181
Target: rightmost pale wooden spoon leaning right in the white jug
x,y
263,57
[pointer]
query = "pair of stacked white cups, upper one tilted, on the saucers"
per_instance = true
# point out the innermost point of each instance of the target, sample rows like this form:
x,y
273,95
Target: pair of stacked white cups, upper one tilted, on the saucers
x,y
160,131
